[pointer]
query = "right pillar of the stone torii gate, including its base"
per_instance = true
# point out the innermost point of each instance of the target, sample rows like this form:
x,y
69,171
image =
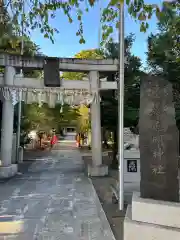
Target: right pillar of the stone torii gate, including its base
x,y
96,168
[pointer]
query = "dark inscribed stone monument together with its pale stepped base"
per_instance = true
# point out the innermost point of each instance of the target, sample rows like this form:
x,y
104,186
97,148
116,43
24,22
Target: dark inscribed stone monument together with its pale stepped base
x,y
155,211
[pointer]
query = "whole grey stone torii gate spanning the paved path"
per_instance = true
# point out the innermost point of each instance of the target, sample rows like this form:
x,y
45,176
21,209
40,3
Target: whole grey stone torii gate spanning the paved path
x,y
11,83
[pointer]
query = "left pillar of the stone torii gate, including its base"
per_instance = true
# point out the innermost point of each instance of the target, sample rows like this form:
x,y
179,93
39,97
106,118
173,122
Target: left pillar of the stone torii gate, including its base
x,y
6,168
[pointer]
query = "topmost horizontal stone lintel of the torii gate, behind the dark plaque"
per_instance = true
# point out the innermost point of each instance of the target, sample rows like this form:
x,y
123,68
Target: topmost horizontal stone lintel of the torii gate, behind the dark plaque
x,y
65,64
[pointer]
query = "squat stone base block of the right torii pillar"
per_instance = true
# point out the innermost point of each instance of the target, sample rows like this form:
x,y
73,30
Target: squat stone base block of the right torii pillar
x,y
96,171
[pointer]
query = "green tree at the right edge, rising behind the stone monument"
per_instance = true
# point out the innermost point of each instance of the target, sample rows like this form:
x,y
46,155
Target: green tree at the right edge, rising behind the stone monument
x,y
164,54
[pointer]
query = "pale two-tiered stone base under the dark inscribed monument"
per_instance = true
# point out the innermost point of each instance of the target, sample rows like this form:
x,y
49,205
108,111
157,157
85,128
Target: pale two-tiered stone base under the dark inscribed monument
x,y
150,219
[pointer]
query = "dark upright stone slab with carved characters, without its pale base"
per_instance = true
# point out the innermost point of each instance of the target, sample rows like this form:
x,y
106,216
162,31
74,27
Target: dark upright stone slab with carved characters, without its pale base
x,y
159,145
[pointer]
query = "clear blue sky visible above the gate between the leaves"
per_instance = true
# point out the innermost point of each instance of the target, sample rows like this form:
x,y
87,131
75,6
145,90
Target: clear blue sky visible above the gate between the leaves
x,y
67,43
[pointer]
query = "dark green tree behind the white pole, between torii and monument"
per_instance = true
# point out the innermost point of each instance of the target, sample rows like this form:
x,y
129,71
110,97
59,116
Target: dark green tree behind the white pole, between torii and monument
x,y
109,108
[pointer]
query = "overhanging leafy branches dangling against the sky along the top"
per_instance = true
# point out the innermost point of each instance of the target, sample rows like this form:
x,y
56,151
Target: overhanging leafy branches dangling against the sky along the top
x,y
40,12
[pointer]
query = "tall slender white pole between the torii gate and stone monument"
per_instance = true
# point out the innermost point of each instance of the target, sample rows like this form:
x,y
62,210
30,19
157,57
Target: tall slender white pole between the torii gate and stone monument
x,y
121,109
